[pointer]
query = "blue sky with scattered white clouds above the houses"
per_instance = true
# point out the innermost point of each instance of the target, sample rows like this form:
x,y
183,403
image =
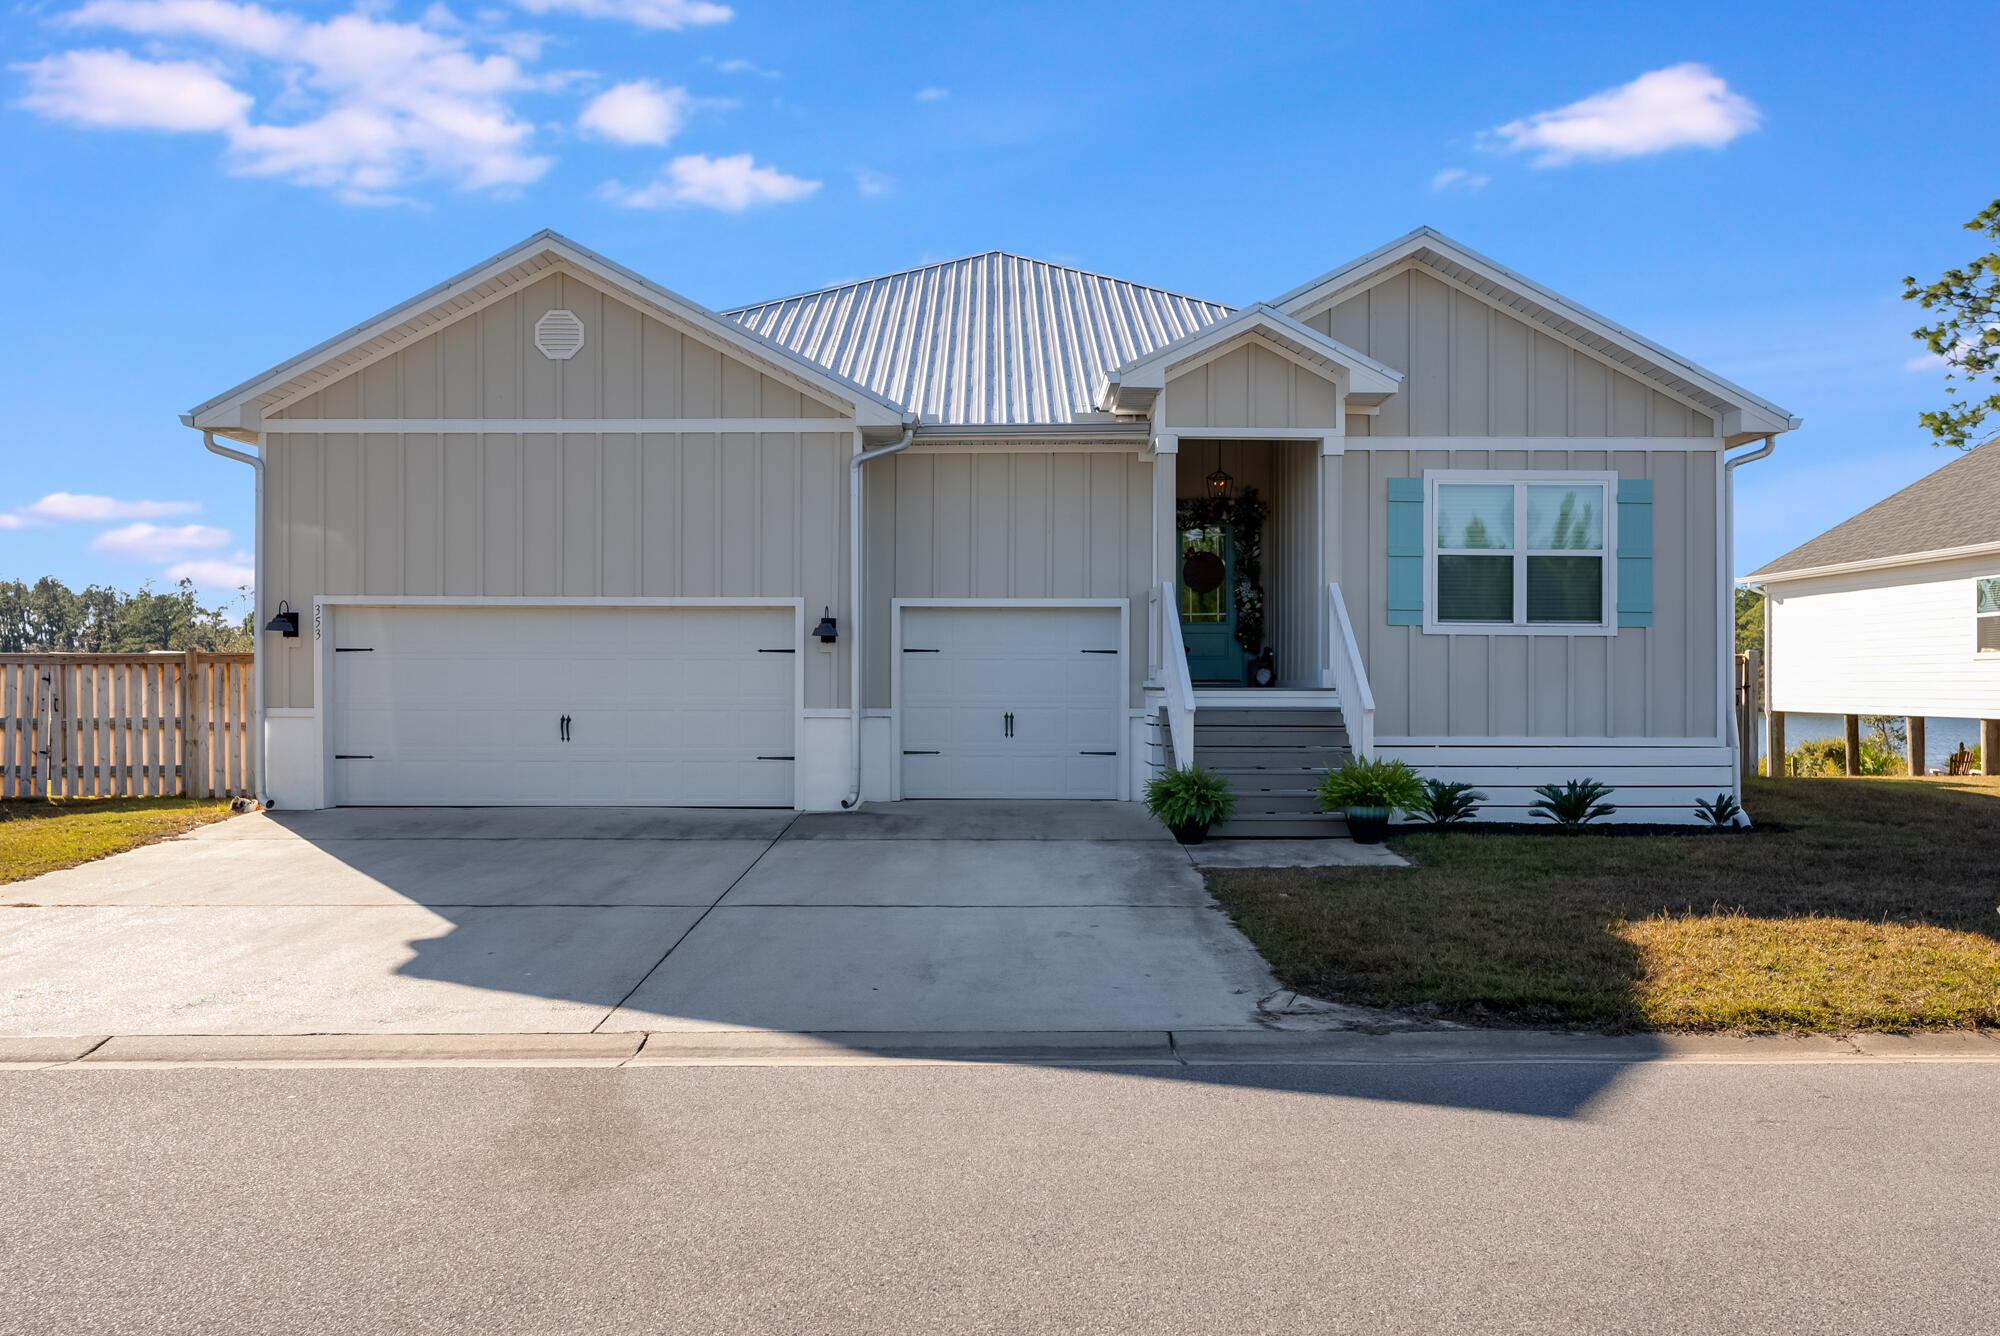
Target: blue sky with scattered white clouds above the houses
x,y
197,189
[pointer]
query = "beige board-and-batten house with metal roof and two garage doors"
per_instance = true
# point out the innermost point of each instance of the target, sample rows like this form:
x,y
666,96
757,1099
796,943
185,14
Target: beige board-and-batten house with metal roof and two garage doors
x,y
555,535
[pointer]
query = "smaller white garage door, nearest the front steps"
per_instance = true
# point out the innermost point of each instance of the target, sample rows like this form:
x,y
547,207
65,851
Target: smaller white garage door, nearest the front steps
x,y
1011,703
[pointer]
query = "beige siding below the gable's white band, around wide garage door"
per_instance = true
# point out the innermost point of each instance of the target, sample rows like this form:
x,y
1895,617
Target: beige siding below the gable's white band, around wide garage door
x,y
577,515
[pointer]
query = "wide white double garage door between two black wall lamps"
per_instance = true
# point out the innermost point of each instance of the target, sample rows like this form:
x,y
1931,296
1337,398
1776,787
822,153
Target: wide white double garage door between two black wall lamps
x,y
563,707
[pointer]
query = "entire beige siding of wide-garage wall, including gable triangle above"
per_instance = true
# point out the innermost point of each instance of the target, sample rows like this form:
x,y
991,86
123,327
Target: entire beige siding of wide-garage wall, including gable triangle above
x,y
555,515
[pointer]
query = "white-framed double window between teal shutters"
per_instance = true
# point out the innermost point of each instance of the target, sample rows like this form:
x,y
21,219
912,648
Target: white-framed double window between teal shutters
x,y
1527,551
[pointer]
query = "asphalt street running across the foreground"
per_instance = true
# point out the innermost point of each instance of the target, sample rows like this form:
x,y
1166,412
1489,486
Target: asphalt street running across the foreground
x,y
1003,1199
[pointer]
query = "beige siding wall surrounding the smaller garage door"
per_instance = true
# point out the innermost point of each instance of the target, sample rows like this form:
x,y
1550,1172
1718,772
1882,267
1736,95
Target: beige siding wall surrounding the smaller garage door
x,y
1007,525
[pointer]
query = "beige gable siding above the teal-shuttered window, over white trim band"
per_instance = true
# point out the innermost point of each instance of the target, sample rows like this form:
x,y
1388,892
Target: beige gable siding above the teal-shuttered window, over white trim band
x,y
1475,371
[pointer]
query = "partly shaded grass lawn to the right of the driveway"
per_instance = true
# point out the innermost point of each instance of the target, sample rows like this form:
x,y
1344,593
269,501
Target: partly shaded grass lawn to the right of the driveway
x,y
1871,905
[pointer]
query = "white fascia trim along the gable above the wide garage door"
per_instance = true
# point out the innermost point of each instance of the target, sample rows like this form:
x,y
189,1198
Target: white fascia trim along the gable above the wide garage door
x,y
869,407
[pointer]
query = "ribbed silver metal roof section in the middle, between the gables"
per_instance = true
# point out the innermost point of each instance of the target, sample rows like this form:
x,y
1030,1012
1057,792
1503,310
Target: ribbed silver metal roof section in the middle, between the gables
x,y
987,339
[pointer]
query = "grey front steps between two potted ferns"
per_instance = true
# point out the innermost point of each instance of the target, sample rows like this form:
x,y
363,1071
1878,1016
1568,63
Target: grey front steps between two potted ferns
x,y
1275,753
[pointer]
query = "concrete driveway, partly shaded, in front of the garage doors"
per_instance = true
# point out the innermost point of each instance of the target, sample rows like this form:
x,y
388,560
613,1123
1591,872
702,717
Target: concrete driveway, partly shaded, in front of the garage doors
x,y
1017,917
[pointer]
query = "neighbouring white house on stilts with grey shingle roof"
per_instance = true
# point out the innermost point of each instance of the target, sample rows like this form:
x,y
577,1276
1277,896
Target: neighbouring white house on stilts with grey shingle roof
x,y
1895,611
